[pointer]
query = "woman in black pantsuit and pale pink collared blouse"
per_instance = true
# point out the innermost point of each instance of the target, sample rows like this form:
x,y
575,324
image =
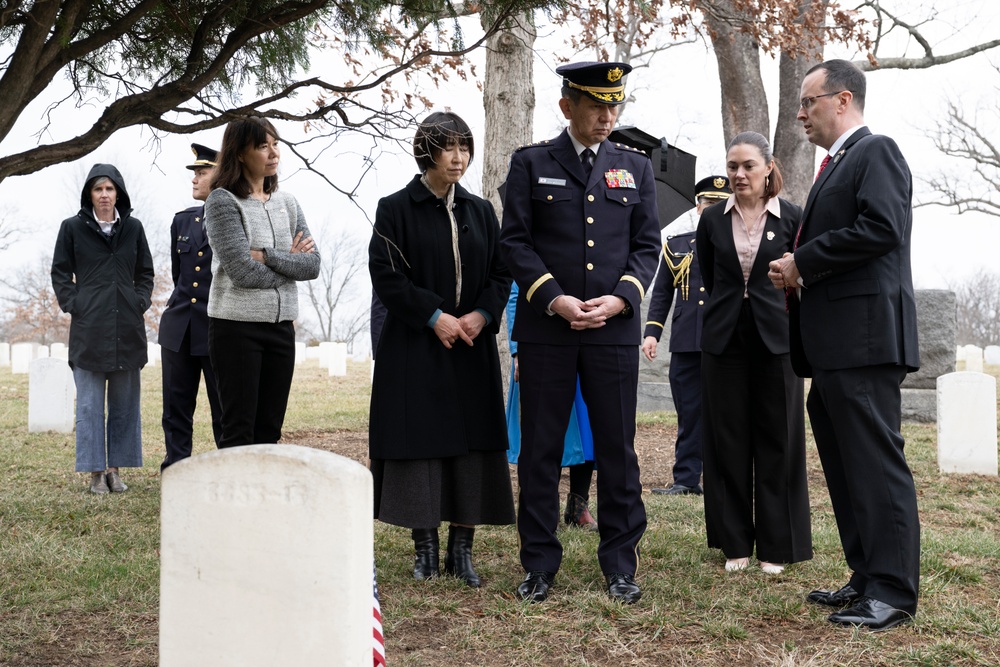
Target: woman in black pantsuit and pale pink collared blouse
x,y
753,425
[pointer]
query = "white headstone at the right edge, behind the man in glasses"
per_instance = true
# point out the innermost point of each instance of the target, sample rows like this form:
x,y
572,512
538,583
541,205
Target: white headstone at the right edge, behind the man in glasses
x,y
967,423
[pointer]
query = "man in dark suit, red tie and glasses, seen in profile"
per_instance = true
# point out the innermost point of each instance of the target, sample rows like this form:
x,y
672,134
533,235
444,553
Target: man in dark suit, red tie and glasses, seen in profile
x,y
853,323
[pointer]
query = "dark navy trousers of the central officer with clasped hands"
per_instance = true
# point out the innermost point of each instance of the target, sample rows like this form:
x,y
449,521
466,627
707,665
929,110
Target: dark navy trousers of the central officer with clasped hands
x,y
608,381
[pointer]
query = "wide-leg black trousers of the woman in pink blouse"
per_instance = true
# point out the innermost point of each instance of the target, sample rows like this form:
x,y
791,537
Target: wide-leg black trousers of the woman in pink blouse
x,y
753,437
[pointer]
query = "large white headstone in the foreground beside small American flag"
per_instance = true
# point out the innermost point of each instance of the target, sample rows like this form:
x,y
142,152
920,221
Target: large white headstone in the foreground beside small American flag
x,y
266,559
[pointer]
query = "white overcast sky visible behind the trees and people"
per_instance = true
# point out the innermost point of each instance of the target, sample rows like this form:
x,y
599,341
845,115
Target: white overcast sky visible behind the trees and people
x,y
678,100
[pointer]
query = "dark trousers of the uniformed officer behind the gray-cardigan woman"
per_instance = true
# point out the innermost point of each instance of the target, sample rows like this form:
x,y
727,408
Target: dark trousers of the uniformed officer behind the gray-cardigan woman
x,y
181,376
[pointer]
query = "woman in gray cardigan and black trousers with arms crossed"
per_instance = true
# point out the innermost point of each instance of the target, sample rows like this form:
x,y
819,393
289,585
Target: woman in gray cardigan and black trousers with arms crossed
x,y
261,247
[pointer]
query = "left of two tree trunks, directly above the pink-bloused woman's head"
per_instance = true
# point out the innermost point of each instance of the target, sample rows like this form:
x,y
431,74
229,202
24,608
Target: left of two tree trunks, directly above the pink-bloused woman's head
x,y
744,102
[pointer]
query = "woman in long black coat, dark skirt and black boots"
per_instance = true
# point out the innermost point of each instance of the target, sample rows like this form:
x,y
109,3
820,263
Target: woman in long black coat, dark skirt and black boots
x,y
437,434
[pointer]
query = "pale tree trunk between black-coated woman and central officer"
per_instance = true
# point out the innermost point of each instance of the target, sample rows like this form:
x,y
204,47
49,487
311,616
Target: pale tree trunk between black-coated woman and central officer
x,y
509,102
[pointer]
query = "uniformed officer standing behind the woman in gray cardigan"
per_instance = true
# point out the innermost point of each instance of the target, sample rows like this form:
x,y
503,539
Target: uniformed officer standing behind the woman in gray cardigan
x,y
184,324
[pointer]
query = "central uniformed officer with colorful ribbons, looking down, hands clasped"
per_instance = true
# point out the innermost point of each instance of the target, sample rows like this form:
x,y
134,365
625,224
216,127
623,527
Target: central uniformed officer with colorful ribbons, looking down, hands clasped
x,y
581,237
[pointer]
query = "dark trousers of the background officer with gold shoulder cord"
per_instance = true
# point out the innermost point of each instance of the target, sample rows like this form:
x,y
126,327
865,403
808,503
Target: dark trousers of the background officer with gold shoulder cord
x,y
685,389
